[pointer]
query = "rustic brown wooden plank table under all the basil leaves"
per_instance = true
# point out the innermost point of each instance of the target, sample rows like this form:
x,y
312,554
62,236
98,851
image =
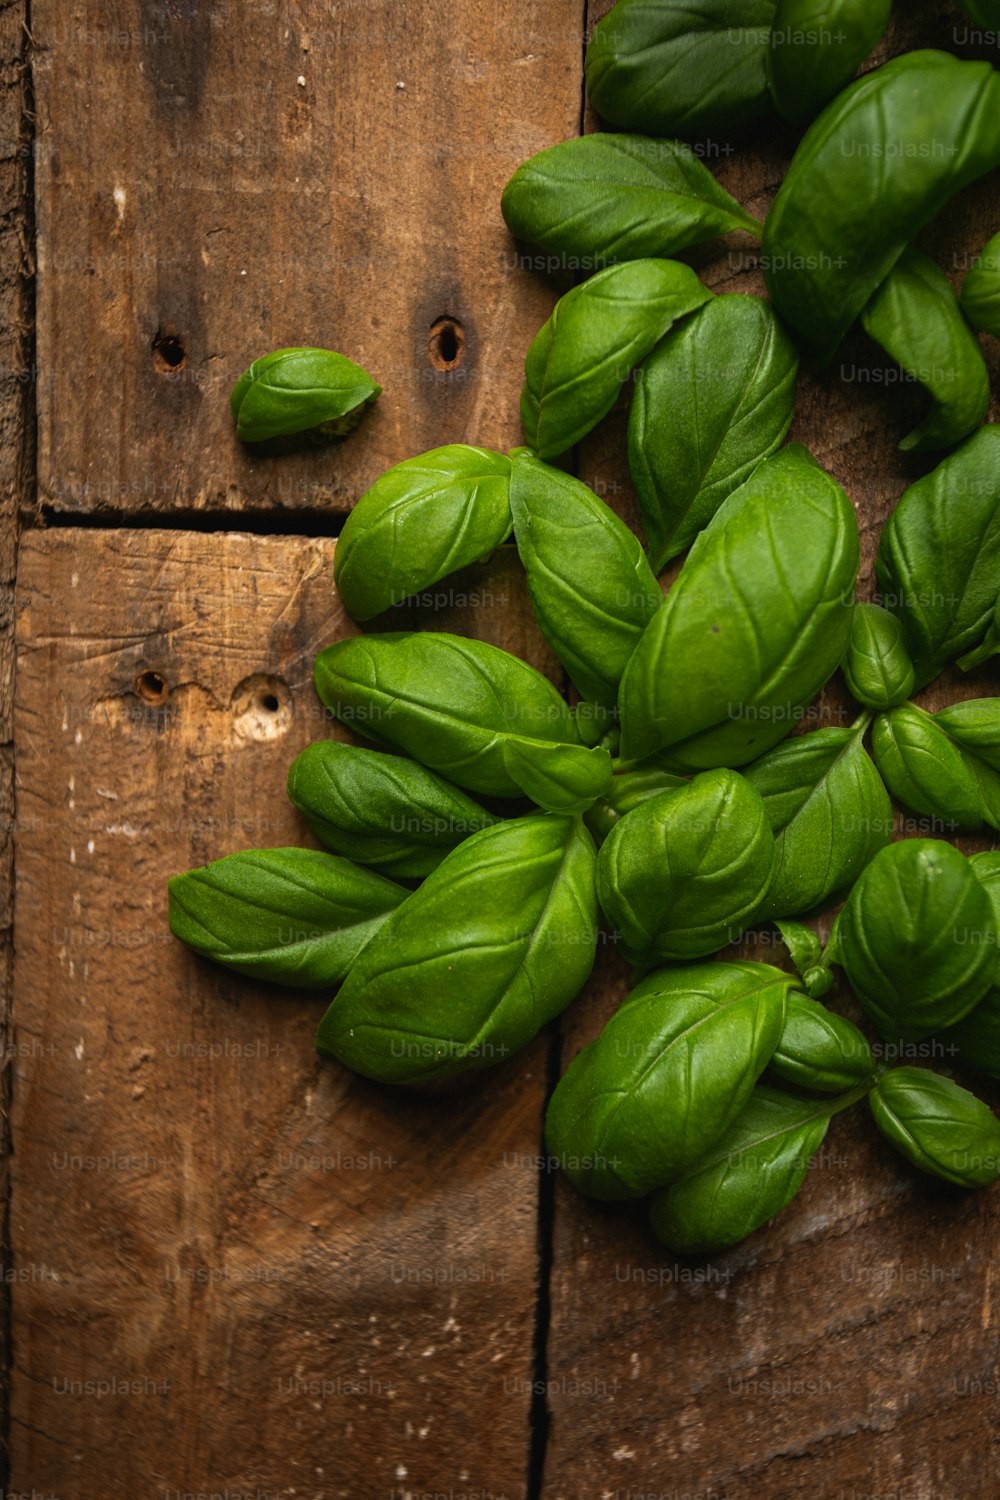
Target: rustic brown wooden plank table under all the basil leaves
x,y
236,1270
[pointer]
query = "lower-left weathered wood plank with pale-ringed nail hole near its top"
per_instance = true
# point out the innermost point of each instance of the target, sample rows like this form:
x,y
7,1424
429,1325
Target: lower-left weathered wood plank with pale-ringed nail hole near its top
x,y
239,1267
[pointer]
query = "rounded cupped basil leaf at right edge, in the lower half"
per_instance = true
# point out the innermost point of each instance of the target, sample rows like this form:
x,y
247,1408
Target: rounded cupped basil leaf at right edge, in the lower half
x,y
917,938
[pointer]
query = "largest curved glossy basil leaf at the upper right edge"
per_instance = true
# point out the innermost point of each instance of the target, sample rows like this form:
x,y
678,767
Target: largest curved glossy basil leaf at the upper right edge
x,y
881,161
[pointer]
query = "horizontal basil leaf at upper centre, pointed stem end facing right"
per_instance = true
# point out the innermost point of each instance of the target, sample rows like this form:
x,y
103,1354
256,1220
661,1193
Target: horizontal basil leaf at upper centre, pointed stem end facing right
x,y
605,199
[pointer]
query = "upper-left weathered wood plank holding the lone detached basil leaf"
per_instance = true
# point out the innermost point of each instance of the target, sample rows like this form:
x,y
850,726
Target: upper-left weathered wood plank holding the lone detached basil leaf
x,y
239,178
